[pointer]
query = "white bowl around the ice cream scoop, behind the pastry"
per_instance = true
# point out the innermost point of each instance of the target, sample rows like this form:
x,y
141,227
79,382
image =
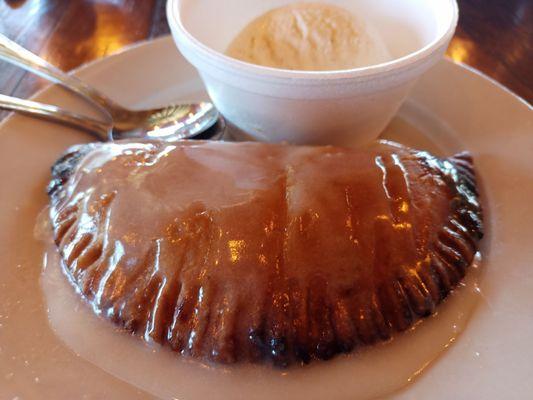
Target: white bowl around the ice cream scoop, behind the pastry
x,y
346,106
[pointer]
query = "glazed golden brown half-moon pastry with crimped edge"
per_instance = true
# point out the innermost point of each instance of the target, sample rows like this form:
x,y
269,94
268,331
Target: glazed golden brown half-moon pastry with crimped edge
x,y
261,252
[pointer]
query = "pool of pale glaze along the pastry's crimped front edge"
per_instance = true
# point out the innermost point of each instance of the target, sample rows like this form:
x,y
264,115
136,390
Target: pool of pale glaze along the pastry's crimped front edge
x,y
365,374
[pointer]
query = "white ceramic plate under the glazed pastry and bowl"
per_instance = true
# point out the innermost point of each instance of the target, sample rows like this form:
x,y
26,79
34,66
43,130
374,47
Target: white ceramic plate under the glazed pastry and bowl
x,y
452,108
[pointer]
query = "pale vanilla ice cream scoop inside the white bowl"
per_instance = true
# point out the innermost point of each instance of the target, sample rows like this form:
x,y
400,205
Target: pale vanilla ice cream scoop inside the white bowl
x,y
308,36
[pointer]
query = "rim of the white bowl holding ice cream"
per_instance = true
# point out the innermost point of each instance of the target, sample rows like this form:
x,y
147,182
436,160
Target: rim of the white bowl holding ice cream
x,y
222,61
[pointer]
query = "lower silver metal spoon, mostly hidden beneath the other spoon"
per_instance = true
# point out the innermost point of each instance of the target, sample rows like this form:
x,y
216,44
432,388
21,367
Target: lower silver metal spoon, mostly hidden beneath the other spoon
x,y
101,130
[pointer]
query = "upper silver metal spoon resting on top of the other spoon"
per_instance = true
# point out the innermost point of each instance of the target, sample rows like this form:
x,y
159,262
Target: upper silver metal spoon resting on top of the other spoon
x,y
173,122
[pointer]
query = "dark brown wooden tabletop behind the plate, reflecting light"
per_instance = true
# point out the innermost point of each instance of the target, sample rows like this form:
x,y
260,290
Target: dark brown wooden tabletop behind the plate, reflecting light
x,y
494,36
